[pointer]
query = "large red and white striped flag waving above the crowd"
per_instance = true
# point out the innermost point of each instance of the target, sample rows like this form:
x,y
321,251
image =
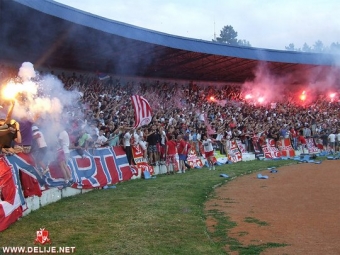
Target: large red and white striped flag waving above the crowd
x,y
143,113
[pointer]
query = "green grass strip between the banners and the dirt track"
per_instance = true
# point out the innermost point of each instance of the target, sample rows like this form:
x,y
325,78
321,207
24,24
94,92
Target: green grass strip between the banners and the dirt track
x,y
165,215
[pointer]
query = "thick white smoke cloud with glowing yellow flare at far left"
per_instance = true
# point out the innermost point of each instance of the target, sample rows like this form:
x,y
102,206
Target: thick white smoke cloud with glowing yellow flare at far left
x,y
43,100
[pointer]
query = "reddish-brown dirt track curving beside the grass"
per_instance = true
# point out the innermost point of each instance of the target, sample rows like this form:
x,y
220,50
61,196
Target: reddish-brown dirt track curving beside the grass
x,y
300,204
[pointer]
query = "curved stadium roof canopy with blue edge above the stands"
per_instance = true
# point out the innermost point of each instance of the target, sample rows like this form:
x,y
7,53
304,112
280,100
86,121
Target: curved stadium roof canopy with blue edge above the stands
x,y
48,33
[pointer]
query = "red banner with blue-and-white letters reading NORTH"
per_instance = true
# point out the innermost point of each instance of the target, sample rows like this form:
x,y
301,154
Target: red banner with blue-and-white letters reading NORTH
x,y
103,166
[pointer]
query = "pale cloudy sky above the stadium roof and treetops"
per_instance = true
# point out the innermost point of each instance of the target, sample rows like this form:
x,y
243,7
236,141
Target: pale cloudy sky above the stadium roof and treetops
x,y
271,24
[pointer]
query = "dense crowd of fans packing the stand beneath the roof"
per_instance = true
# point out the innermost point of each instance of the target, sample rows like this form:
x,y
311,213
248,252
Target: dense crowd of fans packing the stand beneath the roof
x,y
184,112
